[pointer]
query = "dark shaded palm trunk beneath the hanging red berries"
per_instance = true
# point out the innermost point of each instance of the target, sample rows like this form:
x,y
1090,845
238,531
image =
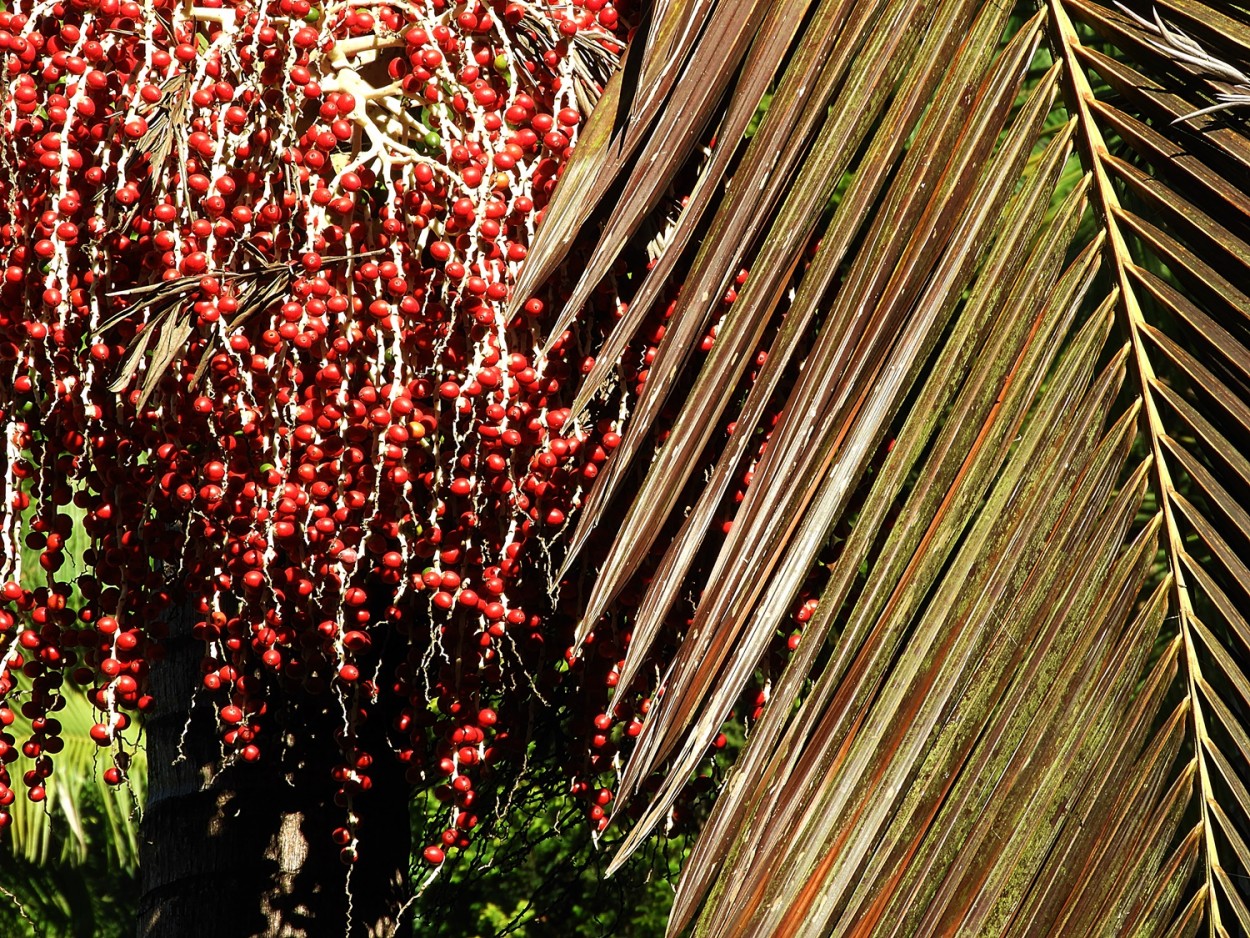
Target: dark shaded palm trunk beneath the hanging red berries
x,y
248,854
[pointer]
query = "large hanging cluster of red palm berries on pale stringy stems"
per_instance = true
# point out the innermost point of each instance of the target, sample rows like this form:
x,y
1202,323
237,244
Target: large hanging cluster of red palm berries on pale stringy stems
x,y
254,355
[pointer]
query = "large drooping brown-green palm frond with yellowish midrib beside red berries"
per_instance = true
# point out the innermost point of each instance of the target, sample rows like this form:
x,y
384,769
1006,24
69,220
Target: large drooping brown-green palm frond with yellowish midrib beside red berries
x,y
989,377
